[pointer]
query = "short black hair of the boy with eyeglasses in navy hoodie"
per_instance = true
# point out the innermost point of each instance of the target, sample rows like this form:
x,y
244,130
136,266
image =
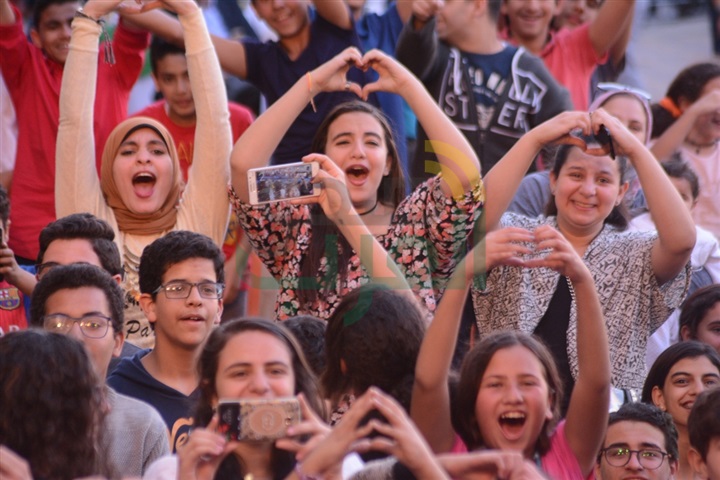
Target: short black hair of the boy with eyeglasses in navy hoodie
x,y
171,249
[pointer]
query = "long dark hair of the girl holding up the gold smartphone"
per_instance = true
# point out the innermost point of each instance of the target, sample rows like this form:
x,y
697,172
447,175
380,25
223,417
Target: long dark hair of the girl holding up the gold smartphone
x,y
282,461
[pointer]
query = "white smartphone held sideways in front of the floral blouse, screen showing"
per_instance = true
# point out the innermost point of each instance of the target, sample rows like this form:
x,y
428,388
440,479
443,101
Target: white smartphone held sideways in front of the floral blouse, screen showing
x,y
284,182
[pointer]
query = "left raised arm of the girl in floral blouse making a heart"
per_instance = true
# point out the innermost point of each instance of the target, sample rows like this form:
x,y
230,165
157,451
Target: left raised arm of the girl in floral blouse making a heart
x,y
255,147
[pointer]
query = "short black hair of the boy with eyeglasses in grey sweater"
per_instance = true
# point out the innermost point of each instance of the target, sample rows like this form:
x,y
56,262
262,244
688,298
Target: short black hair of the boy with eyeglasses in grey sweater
x,y
72,277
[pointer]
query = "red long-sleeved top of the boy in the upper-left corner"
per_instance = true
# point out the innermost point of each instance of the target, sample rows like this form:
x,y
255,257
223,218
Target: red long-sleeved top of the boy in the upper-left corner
x,y
33,81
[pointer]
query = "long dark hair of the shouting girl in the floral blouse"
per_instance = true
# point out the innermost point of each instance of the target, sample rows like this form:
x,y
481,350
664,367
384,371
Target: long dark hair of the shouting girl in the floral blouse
x,y
326,240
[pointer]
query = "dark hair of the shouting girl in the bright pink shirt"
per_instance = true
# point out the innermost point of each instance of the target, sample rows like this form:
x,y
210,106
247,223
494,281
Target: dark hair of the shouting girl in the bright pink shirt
x,y
471,374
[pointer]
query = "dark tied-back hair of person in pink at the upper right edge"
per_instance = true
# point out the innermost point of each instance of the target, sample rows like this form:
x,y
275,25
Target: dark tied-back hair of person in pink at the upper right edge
x,y
688,85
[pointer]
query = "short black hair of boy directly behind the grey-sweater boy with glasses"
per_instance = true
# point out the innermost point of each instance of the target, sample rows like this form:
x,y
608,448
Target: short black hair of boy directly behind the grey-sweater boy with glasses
x,y
84,226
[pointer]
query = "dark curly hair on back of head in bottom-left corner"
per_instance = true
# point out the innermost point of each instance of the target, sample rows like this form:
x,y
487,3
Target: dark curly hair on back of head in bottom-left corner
x,y
52,404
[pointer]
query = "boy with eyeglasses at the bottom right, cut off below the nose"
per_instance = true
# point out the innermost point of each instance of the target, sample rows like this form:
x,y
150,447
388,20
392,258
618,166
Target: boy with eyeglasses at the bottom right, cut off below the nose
x,y
641,442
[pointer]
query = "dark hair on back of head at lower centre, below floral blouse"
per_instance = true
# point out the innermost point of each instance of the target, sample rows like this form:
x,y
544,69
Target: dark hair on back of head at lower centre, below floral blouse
x,y
373,338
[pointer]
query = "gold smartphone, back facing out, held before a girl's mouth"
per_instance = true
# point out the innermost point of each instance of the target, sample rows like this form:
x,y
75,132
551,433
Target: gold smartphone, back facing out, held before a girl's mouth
x,y
257,419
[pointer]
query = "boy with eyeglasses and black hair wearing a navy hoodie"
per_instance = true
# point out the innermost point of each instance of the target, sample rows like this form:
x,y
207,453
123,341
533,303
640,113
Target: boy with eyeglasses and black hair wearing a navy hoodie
x,y
181,283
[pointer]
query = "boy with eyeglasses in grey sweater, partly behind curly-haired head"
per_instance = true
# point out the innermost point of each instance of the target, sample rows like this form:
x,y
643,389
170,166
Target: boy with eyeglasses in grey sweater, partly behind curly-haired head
x,y
86,303
